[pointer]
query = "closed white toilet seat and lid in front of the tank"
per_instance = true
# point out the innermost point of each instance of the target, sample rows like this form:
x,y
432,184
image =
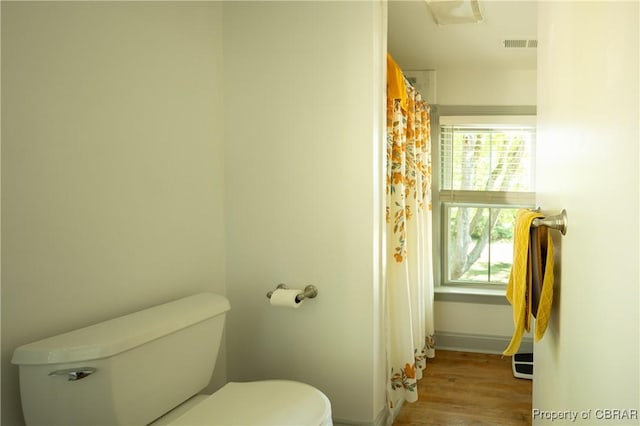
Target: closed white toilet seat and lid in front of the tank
x,y
268,402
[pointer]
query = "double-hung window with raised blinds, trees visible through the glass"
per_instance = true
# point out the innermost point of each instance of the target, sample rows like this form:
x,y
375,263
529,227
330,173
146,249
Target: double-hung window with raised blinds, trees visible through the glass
x,y
486,173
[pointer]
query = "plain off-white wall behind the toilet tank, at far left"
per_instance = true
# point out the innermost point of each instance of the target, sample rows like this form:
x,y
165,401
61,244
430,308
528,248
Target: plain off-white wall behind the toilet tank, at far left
x,y
112,165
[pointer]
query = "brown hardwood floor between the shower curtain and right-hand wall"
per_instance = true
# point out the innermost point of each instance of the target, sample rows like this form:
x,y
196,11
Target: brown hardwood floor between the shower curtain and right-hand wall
x,y
462,388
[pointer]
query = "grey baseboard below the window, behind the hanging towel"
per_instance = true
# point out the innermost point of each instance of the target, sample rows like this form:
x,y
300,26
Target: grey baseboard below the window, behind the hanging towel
x,y
478,343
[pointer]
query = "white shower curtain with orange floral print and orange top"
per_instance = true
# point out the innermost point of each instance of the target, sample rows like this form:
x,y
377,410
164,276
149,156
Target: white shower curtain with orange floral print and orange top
x,y
409,275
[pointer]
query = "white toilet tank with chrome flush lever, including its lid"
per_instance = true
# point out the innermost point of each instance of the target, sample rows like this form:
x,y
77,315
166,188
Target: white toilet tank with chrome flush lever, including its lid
x,y
126,371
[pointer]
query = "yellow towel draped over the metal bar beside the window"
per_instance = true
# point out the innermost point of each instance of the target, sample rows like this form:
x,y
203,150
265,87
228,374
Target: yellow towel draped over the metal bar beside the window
x,y
519,287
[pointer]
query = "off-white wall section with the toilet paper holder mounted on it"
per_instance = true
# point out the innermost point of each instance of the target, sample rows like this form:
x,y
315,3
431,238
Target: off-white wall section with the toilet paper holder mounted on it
x,y
303,105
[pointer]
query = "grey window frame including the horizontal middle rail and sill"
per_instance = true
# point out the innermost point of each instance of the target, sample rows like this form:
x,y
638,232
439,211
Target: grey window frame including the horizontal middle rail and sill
x,y
469,292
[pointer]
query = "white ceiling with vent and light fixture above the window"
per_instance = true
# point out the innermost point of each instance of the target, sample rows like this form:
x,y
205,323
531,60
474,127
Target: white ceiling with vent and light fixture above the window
x,y
416,42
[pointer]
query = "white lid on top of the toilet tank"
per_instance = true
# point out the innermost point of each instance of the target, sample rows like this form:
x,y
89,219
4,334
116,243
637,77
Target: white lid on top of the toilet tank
x,y
120,334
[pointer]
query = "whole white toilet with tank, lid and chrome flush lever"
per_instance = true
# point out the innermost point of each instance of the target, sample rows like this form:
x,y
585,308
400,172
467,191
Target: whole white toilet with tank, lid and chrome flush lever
x,y
148,368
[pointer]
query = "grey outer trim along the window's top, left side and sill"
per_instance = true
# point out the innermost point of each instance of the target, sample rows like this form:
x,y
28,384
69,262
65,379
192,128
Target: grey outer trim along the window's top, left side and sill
x,y
461,293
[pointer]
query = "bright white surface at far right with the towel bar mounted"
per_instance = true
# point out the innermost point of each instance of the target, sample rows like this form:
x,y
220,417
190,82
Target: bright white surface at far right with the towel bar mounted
x,y
588,109
